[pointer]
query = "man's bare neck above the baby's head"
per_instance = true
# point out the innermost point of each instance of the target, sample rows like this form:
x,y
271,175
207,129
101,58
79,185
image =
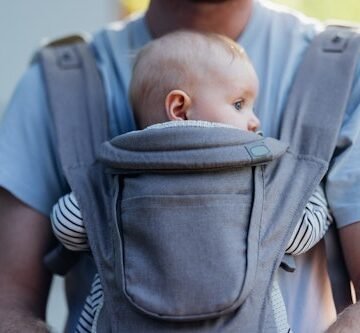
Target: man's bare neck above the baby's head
x,y
227,17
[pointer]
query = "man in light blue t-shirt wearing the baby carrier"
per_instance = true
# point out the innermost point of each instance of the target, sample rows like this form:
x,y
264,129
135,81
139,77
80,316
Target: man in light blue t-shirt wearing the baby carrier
x,y
31,177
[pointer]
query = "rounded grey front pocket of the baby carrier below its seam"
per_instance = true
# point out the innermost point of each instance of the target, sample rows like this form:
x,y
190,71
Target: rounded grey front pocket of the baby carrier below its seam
x,y
185,257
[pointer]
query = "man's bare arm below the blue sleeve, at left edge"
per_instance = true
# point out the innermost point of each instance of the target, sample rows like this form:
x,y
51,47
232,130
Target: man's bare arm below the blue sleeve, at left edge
x,y
25,236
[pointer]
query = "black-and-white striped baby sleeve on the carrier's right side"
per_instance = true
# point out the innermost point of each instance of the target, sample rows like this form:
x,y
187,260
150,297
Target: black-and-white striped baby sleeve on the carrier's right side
x,y
312,226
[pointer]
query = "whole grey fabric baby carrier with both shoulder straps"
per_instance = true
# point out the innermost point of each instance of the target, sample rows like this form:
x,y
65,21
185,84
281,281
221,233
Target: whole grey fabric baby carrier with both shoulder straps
x,y
187,225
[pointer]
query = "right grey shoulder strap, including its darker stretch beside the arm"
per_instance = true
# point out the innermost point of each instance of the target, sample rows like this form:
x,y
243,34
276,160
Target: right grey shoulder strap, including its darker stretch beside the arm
x,y
313,116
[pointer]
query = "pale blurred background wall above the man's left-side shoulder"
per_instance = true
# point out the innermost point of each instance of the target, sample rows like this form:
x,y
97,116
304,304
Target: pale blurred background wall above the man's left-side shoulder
x,y
24,24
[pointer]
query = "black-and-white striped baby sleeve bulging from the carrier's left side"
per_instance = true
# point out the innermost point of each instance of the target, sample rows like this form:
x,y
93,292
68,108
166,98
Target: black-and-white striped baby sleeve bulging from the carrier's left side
x,y
67,224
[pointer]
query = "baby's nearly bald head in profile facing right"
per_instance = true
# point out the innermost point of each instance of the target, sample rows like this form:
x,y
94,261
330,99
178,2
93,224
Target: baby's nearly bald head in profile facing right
x,y
187,75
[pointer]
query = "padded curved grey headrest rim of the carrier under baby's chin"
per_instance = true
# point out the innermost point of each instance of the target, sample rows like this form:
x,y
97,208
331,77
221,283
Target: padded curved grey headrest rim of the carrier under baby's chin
x,y
171,148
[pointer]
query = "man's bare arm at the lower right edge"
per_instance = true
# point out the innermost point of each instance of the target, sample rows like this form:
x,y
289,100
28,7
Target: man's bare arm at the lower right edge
x,y
349,320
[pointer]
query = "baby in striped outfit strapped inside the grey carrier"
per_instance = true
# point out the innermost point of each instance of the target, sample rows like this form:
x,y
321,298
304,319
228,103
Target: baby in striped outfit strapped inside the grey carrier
x,y
186,76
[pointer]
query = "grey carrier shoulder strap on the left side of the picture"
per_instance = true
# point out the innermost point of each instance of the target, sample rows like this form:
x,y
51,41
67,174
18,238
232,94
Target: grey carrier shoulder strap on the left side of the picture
x,y
77,100
